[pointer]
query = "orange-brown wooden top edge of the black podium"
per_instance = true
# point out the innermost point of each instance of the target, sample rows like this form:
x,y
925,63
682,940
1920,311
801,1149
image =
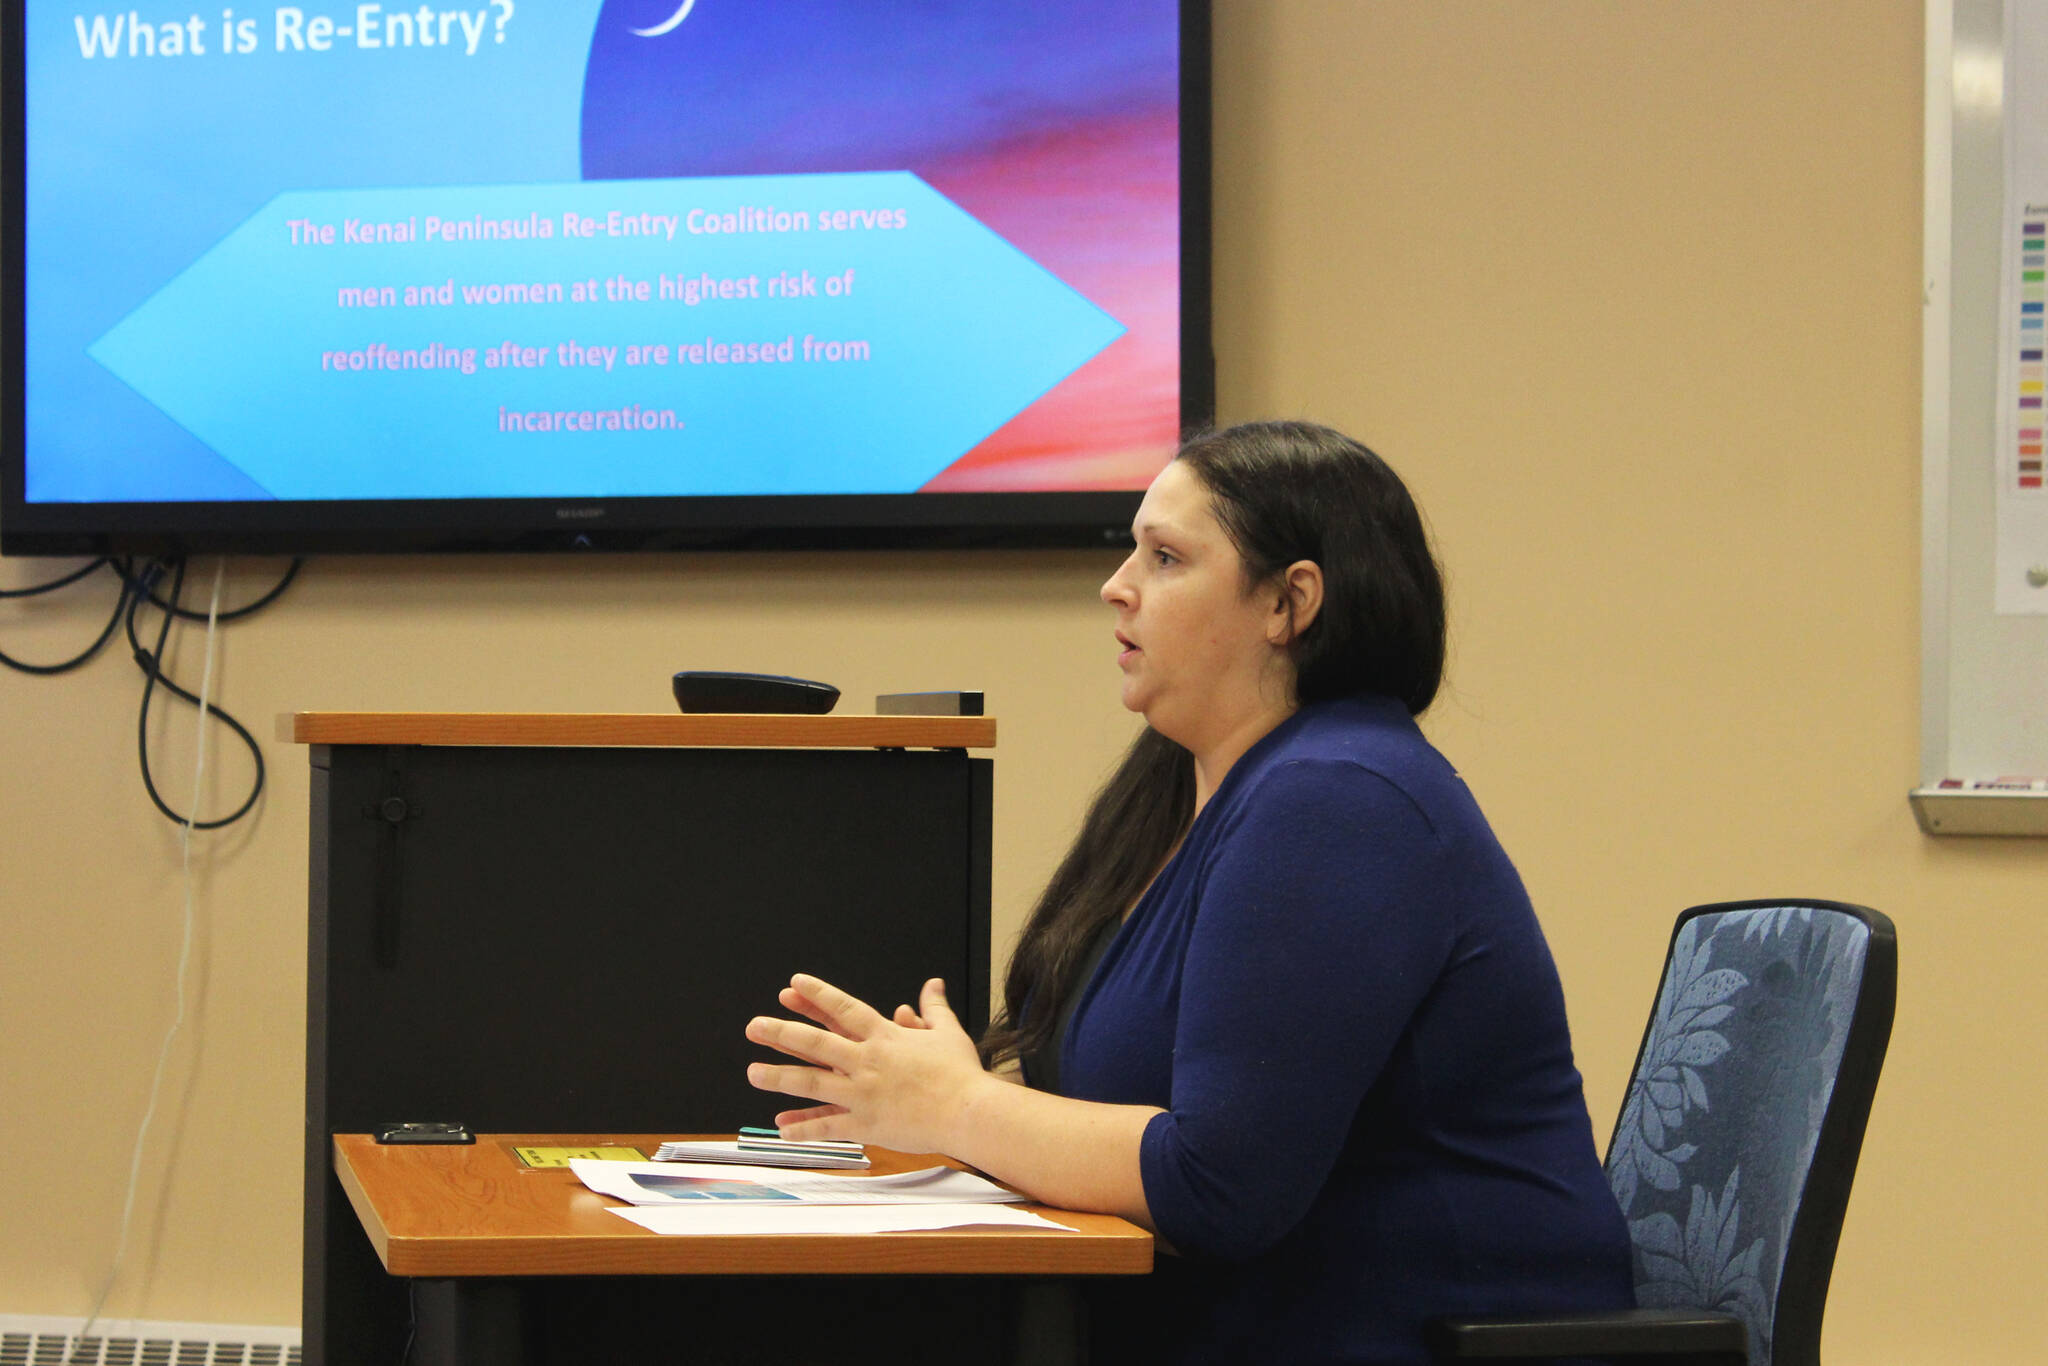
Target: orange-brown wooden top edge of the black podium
x,y
634,730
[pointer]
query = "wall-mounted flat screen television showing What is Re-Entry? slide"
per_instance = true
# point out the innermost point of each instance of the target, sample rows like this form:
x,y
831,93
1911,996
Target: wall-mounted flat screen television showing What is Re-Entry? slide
x,y
599,273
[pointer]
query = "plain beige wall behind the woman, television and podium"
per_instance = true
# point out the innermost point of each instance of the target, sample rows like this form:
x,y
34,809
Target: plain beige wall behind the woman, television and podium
x,y
1629,292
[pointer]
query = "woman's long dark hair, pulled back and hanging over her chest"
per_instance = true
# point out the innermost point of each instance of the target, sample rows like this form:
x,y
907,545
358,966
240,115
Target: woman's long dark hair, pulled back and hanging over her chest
x,y
1283,493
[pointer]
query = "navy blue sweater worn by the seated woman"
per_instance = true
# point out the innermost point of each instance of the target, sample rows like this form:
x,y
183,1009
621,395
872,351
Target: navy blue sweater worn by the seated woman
x,y
1340,996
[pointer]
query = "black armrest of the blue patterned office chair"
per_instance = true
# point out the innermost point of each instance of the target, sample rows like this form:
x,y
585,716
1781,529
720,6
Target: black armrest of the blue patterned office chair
x,y
1658,1334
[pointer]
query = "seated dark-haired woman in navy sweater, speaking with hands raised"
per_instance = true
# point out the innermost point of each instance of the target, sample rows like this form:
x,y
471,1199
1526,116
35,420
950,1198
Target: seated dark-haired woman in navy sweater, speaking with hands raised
x,y
1285,1002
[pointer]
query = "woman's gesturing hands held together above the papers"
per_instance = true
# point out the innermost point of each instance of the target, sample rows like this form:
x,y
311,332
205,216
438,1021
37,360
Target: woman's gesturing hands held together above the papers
x,y
896,1082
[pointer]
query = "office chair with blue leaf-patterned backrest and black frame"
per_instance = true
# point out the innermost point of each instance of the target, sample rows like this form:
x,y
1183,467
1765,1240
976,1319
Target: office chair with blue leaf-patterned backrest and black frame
x,y
1738,1142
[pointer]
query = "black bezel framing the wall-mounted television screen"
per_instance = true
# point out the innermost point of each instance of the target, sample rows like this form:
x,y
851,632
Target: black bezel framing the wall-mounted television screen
x,y
787,521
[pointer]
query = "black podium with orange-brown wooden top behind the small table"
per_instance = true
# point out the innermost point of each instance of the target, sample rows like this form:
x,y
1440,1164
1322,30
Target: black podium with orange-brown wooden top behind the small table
x,y
562,923
